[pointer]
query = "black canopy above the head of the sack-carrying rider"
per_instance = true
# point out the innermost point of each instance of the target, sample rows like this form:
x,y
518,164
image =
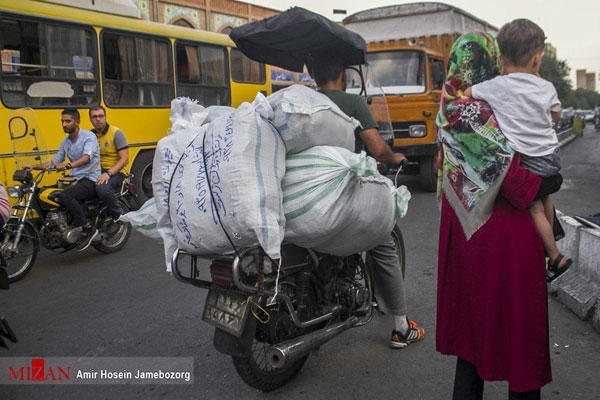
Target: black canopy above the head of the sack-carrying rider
x,y
297,36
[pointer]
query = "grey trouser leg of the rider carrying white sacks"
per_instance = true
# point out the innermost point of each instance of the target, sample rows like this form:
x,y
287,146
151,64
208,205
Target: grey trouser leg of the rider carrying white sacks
x,y
387,278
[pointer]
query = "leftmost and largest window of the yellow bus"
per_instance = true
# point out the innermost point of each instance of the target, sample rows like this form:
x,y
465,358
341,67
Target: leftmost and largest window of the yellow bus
x,y
47,65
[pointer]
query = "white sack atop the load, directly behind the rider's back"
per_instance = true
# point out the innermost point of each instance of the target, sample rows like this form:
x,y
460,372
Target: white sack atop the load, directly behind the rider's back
x,y
306,118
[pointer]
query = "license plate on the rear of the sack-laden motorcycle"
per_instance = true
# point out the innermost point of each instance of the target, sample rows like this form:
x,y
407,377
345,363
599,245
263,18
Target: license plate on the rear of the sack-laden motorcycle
x,y
226,310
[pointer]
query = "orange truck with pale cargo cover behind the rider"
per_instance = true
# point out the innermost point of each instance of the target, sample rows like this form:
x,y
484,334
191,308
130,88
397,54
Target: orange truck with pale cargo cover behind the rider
x,y
407,54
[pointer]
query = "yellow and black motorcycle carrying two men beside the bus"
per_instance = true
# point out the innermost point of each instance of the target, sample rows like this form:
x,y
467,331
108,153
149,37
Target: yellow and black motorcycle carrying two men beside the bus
x,y
38,219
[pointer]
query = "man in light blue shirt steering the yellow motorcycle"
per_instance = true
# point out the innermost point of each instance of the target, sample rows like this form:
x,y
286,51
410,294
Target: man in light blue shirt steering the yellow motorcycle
x,y
81,147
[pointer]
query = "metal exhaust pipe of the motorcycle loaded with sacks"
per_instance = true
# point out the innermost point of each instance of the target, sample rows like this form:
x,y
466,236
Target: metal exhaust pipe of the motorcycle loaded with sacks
x,y
296,348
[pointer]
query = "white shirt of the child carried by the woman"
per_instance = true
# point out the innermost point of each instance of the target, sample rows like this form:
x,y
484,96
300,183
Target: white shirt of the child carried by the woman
x,y
522,103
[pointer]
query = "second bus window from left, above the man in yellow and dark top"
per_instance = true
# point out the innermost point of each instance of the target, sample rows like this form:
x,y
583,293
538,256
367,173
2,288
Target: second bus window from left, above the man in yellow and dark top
x,y
137,71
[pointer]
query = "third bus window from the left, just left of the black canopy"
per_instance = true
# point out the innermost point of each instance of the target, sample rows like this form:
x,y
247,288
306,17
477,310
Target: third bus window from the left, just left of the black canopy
x,y
202,73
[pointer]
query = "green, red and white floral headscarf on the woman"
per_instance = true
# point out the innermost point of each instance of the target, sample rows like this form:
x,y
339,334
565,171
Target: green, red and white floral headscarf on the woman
x,y
475,153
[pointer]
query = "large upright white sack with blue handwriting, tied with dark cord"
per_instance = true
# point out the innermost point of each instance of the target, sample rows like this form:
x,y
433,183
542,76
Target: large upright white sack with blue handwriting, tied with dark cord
x,y
245,160
